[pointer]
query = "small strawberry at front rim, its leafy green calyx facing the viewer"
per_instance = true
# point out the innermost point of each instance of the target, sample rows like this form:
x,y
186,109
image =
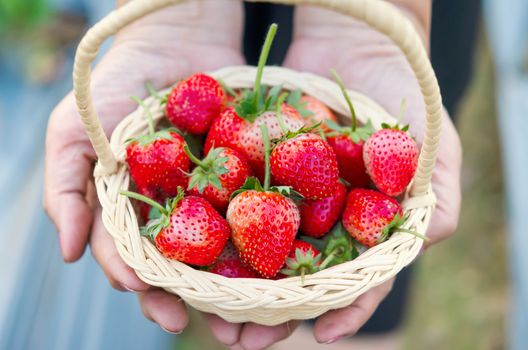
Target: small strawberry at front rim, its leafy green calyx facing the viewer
x,y
303,259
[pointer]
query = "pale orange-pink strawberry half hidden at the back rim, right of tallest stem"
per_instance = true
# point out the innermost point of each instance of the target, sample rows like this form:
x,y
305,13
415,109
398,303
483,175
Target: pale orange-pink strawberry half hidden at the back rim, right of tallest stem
x,y
313,110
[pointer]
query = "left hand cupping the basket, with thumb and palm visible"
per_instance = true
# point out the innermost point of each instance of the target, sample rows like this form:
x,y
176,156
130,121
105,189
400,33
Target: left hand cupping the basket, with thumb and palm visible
x,y
161,48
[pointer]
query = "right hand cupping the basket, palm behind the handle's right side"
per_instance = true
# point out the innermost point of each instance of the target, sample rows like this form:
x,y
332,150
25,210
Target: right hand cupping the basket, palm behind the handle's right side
x,y
370,63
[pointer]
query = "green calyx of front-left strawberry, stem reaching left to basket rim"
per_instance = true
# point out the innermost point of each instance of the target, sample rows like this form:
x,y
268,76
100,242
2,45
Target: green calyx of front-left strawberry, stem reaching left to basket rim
x,y
154,226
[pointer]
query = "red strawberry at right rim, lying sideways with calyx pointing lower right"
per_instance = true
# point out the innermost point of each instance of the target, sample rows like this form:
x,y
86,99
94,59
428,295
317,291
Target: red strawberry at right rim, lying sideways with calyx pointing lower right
x,y
370,216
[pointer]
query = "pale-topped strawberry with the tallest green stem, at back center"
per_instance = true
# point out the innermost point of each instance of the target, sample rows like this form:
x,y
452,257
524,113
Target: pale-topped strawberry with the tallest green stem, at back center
x,y
239,127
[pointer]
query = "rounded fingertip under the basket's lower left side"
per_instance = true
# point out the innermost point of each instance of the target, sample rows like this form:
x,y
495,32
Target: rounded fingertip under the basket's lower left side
x,y
167,310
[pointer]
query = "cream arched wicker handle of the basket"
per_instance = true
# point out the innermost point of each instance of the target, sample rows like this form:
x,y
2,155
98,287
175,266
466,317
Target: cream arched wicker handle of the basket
x,y
380,15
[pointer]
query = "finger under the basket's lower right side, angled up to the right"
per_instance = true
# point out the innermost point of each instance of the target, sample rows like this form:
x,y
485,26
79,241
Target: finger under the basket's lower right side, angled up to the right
x,y
337,324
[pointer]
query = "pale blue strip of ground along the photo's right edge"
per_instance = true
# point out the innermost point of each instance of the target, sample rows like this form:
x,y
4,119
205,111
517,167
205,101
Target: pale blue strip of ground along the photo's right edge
x,y
507,23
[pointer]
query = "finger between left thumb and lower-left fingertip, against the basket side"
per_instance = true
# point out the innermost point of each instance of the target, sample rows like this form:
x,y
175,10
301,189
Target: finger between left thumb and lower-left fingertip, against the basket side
x,y
120,275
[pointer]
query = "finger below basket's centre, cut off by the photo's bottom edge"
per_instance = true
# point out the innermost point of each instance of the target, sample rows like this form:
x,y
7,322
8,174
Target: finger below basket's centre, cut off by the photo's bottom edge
x,y
256,337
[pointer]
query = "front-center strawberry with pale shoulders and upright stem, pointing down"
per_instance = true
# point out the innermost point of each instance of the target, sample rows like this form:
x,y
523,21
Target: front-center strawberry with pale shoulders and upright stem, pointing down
x,y
263,221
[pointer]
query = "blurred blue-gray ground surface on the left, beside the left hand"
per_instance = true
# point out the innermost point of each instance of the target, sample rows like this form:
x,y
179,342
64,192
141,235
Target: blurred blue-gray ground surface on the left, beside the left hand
x,y
44,303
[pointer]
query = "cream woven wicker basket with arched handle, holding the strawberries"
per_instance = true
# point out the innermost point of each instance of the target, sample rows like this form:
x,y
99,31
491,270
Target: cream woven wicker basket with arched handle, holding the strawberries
x,y
263,301
